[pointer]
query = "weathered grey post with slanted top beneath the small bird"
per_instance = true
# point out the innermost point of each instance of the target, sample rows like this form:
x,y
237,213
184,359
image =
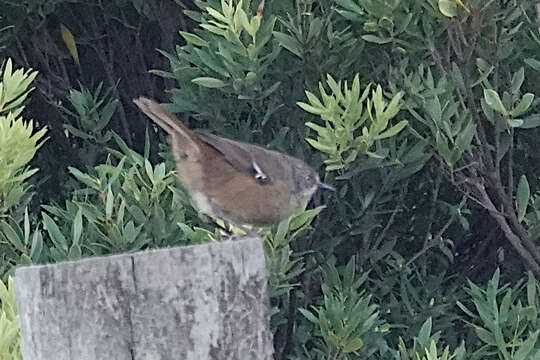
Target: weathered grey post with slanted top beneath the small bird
x,y
195,302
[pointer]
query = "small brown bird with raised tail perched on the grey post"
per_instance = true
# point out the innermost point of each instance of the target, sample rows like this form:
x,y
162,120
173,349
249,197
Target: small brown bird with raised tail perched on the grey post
x,y
241,183
